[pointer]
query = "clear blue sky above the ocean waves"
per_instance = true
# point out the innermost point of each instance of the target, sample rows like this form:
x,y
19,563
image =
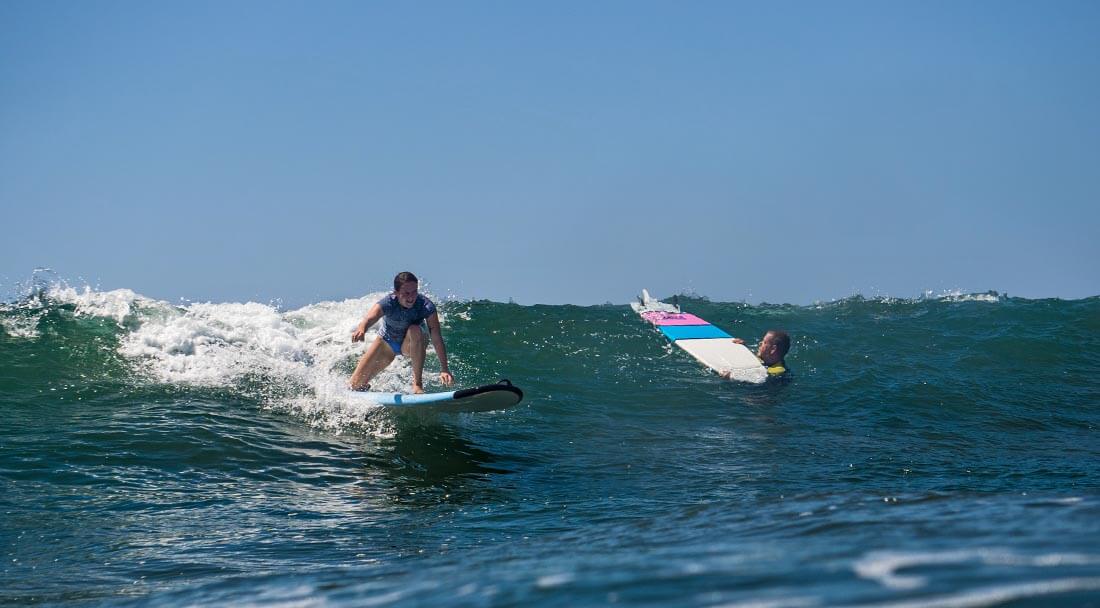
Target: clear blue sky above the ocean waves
x,y
553,152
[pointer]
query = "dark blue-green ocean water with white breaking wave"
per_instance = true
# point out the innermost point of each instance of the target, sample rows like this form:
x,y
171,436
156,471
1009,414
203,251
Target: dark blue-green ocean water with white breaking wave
x,y
942,451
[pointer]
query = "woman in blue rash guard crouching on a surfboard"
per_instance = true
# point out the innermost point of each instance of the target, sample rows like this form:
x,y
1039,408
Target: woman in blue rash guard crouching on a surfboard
x,y
402,333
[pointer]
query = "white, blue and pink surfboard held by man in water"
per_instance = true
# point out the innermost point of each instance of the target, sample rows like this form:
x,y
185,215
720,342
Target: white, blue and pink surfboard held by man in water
x,y
709,345
